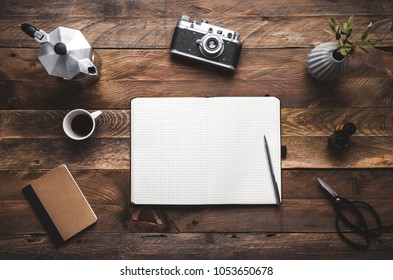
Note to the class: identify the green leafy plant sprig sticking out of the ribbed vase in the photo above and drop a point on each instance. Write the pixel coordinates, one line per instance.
(348, 44)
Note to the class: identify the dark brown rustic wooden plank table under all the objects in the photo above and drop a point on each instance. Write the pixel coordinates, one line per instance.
(132, 38)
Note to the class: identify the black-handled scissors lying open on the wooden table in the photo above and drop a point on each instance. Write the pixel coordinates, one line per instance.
(349, 214)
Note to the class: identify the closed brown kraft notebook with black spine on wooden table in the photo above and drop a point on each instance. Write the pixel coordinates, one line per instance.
(60, 204)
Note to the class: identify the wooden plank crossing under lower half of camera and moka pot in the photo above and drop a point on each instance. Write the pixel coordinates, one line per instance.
(22, 64)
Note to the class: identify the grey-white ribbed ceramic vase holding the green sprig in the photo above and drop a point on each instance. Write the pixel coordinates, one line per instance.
(321, 64)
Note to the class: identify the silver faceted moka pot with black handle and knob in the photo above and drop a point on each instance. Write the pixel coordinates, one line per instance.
(66, 53)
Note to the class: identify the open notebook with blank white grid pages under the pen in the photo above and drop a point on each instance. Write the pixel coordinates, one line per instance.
(196, 150)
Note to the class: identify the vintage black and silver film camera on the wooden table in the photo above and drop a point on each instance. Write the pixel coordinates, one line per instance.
(197, 39)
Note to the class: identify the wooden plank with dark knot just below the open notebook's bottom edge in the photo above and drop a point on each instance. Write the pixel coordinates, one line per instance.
(294, 215)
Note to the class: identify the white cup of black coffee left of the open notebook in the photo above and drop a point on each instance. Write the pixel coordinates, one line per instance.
(79, 124)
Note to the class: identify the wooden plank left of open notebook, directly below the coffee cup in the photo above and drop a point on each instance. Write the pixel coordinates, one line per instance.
(22, 154)
